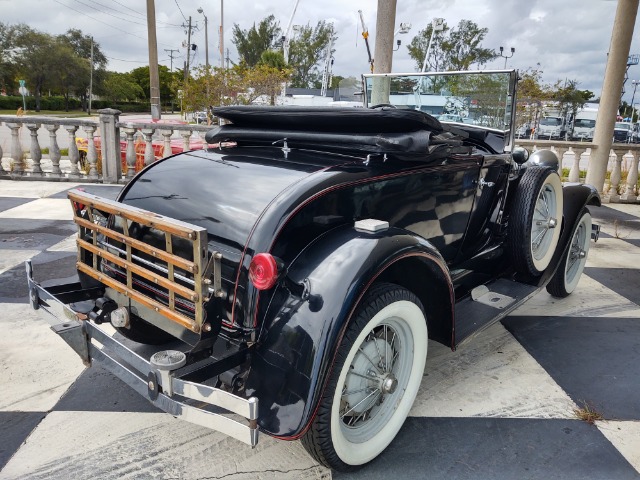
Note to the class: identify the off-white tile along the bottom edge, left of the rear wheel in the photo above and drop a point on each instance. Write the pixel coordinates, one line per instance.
(110, 445)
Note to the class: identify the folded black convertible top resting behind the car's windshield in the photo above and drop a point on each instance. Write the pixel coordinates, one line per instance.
(404, 133)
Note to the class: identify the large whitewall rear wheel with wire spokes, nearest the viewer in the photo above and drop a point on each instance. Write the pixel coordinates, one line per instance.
(375, 379)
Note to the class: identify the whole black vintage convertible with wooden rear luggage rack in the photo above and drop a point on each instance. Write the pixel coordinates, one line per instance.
(294, 272)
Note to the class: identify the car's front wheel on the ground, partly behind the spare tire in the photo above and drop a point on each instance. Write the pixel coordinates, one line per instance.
(566, 278)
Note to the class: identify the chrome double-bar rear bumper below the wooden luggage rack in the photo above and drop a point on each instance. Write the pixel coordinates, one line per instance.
(161, 387)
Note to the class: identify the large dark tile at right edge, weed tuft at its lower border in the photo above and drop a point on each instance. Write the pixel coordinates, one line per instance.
(594, 360)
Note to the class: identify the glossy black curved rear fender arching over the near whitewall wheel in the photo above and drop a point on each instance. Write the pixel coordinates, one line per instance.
(308, 314)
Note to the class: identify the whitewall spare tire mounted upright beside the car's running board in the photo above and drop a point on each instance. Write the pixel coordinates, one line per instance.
(535, 220)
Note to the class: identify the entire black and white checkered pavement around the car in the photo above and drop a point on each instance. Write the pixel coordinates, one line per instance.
(500, 407)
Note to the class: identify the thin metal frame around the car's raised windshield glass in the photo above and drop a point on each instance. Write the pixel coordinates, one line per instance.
(511, 100)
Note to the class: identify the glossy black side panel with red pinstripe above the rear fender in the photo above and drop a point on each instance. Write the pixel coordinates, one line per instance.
(432, 201)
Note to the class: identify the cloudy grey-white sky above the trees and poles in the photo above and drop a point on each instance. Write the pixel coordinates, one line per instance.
(566, 39)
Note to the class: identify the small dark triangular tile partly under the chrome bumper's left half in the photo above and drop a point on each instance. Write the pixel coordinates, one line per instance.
(97, 390)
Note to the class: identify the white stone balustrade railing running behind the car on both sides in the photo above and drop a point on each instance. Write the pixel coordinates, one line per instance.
(112, 151)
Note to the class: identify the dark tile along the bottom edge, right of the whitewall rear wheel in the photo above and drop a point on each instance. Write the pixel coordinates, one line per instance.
(497, 448)
